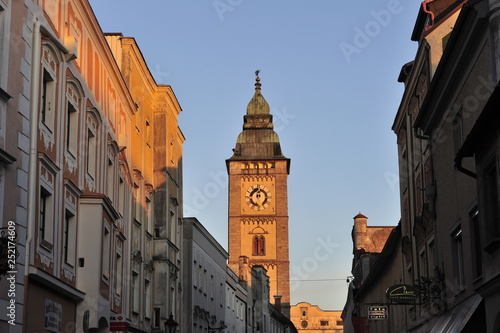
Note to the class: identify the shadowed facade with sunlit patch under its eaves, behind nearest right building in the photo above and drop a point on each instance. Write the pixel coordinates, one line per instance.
(418, 178)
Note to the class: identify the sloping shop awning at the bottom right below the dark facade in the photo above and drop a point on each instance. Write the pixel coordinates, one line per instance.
(455, 319)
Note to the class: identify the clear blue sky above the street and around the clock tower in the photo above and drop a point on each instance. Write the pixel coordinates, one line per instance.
(329, 72)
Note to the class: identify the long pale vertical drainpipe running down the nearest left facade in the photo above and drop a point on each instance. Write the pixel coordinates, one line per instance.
(34, 96)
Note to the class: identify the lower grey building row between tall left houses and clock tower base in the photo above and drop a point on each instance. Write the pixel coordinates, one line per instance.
(217, 299)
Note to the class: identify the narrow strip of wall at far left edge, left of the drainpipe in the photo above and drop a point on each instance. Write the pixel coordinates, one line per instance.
(14, 150)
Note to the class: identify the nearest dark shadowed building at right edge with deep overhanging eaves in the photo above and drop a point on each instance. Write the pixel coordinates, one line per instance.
(467, 218)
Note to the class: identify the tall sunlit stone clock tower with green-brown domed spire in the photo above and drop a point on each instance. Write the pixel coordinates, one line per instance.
(258, 200)
